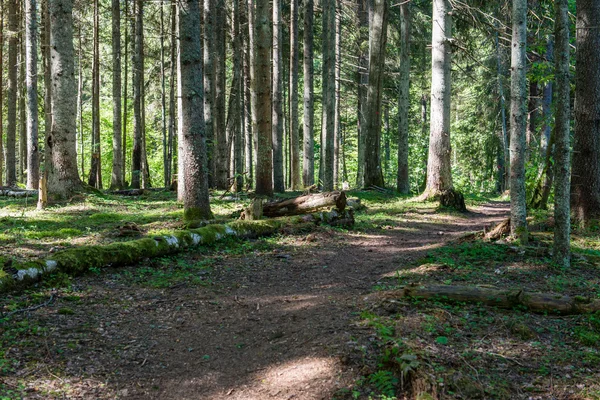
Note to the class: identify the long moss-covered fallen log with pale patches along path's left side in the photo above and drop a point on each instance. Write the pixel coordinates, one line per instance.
(78, 260)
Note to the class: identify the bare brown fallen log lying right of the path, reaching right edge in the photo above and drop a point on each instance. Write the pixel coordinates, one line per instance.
(550, 303)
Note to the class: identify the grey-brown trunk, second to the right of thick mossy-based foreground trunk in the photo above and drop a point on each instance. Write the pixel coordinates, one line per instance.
(222, 150)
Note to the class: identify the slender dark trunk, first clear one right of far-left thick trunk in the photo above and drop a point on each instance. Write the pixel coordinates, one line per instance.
(95, 178)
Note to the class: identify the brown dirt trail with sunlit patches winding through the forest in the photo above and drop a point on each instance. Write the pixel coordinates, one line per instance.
(275, 328)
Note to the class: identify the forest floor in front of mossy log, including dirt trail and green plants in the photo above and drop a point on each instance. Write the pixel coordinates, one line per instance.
(300, 316)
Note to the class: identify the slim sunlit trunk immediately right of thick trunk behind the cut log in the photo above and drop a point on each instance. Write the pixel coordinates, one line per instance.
(277, 89)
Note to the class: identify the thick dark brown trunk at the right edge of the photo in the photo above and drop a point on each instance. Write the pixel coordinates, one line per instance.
(585, 178)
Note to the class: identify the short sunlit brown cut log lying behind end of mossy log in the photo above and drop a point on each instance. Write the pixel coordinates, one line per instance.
(305, 204)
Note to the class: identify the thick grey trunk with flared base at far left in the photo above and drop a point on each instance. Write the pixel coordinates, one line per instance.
(63, 179)
